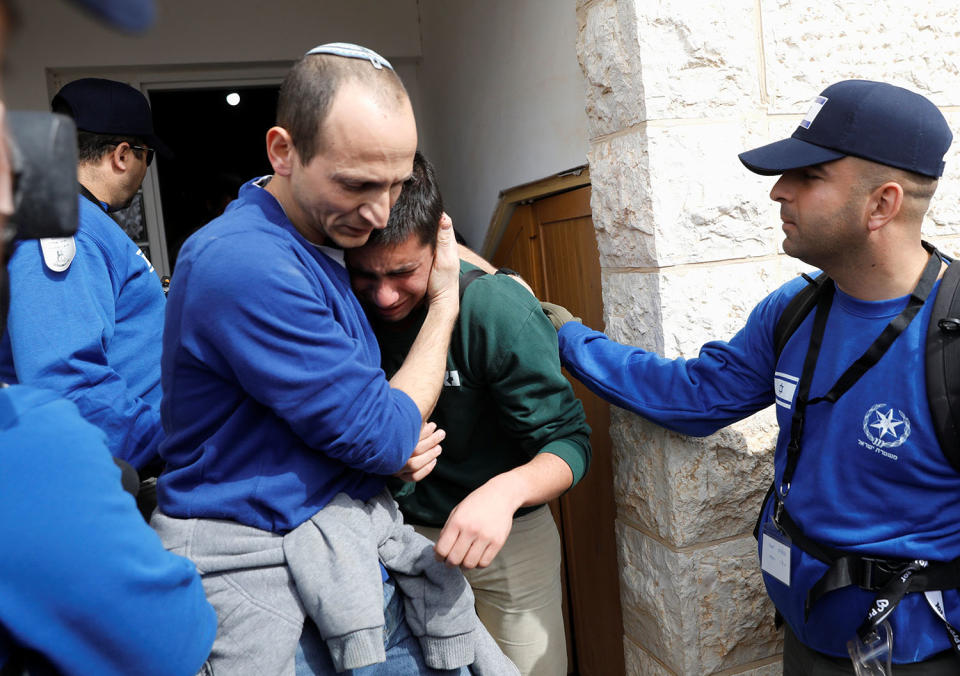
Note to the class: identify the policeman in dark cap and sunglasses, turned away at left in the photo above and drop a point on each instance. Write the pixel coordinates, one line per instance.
(88, 312)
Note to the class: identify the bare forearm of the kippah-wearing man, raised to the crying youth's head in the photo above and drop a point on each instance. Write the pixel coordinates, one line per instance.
(421, 376)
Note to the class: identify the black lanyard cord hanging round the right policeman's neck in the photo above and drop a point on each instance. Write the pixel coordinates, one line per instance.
(868, 359)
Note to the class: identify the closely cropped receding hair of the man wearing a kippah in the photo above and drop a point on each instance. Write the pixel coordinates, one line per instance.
(308, 90)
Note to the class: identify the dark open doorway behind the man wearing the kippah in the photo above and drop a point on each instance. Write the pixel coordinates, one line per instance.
(216, 146)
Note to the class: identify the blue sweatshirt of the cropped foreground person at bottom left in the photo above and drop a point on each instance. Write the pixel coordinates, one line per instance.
(84, 582)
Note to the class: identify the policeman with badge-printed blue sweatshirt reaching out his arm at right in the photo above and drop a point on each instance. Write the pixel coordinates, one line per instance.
(857, 536)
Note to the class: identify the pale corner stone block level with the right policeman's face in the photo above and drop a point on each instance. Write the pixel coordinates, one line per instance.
(669, 195)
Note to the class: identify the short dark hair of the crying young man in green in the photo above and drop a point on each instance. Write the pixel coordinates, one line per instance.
(416, 212)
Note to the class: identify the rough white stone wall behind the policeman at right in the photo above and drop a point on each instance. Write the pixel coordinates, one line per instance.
(689, 242)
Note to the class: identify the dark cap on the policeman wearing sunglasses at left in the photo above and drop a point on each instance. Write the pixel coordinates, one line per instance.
(109, 107)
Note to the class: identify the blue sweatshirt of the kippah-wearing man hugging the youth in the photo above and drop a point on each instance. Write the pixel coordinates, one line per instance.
(274, 400)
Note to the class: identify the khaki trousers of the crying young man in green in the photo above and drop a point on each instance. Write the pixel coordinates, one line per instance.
(518, 596)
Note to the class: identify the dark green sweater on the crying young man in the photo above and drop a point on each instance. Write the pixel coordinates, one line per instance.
(504, 398)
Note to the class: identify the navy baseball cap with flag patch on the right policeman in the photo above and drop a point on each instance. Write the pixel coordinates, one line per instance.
(871, 120)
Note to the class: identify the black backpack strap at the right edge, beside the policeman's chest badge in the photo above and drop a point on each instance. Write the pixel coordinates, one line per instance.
(943, 364)
